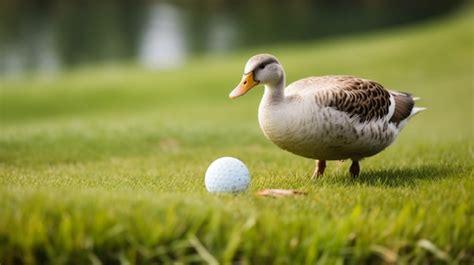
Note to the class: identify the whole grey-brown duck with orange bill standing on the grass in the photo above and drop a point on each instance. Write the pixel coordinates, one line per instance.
(324, 118)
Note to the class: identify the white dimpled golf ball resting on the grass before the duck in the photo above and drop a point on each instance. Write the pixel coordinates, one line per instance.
(227, 174)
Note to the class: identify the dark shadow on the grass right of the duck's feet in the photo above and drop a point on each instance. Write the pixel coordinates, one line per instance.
(406, 176)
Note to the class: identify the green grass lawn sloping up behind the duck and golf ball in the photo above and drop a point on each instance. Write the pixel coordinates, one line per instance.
(107, 165)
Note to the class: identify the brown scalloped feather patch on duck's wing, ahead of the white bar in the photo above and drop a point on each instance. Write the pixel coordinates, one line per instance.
(361, 98)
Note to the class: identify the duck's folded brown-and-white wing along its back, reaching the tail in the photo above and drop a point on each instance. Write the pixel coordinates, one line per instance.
(364, 99)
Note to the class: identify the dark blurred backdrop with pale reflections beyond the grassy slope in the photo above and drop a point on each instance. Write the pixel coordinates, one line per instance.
(46, 37)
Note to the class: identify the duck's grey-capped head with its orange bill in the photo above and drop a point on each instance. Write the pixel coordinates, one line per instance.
(260, 69)
